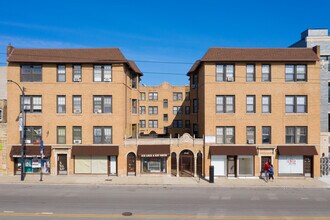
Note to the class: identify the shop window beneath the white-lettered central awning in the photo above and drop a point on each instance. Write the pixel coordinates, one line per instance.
(154, 165)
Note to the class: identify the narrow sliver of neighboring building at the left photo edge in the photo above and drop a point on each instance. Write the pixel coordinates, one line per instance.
(3, 119)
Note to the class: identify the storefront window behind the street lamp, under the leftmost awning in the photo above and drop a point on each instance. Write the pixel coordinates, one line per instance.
(33, 165)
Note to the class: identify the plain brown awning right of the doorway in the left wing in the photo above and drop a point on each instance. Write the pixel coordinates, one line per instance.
(95, 150)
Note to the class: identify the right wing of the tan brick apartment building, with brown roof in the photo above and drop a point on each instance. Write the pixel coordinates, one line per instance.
(254, 105)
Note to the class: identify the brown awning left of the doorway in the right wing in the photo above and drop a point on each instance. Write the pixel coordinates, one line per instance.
(233, 150)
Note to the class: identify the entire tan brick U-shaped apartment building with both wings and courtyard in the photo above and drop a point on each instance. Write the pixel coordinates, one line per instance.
(242, 107)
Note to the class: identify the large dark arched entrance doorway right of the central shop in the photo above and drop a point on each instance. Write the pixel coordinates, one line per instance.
(186, 163)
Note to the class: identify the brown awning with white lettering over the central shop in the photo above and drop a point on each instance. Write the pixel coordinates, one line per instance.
(153, 150)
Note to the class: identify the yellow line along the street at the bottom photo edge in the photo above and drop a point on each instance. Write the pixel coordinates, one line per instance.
(95, 216)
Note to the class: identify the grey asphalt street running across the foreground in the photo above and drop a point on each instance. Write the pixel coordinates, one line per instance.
(155, 202)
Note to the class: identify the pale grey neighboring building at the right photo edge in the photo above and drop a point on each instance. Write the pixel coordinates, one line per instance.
(320, 37)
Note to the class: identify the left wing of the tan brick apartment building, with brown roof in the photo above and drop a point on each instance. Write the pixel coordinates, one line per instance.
(78, 101)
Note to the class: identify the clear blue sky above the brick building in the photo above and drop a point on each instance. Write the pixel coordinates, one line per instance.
(158, 31)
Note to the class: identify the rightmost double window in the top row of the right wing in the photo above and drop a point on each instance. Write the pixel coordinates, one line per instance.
(295, 73)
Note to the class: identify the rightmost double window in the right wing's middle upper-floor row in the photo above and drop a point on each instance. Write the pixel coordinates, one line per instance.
(296, 104)
